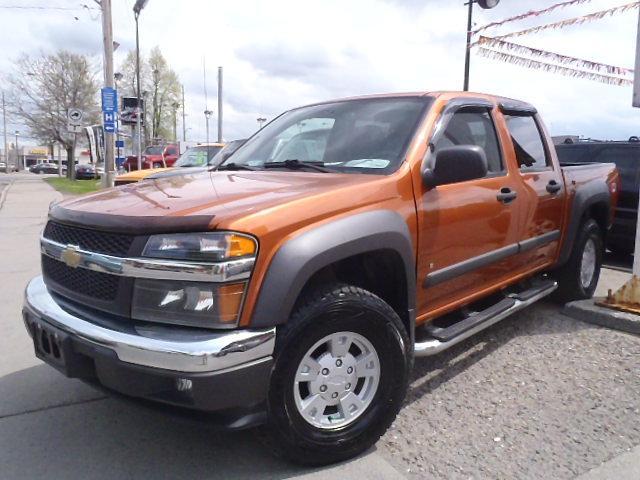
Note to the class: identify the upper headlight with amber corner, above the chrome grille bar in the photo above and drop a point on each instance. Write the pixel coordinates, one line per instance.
(201, 247)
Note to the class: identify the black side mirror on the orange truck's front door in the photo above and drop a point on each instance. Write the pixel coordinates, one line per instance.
(456, 164)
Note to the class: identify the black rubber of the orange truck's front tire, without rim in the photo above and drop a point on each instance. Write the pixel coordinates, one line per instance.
(336, 308)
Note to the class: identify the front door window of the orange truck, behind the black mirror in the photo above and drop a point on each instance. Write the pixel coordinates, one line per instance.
(473, 128)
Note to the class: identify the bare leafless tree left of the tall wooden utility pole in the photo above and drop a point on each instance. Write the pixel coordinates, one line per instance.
(43, 88)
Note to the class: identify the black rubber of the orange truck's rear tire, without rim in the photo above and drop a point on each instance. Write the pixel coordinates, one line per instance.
(570, 285)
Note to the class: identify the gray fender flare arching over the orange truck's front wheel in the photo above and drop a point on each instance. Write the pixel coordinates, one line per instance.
(299, 258)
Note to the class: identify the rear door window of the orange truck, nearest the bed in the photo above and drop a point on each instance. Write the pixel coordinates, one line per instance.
(527, 141)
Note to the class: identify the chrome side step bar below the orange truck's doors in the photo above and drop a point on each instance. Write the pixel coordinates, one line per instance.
(432, 346)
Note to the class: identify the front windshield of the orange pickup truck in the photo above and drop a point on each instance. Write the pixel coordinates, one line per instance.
(356, 136)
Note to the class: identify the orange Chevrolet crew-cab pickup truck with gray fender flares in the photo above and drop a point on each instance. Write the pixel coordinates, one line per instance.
(295, 285)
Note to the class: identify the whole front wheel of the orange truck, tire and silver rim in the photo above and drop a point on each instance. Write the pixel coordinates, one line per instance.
(340, 376)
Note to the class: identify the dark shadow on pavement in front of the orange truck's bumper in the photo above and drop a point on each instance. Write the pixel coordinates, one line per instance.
(88, 435)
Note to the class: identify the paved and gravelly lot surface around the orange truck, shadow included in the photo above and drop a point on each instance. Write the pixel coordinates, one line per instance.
(537, 396)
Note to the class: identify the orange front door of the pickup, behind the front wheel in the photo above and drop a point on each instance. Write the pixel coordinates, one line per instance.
(468, 232)
